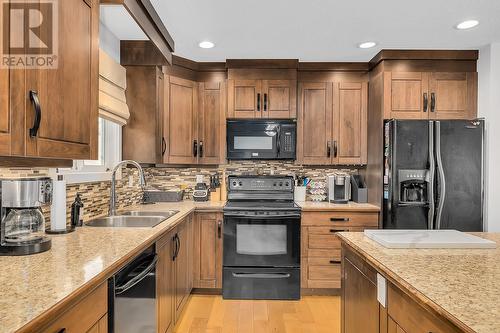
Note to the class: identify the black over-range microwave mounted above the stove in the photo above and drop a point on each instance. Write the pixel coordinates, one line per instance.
(264, 139)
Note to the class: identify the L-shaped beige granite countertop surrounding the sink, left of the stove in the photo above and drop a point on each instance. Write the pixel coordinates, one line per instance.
(32, 285)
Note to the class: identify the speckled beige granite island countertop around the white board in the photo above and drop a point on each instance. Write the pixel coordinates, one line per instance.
(462, 285)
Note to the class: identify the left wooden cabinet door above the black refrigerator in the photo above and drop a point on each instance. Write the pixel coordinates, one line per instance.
(406, 95)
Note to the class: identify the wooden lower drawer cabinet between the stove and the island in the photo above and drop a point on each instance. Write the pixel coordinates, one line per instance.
(321, 254)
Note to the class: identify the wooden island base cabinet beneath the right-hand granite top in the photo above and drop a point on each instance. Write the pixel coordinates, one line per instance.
(362, 312)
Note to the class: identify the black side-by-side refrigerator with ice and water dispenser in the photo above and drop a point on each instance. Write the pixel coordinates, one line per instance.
(433, 174)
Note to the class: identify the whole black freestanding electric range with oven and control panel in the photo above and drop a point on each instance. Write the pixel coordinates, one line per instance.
(261, 239)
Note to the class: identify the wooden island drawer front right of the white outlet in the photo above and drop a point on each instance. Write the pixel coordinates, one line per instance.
(411, 317)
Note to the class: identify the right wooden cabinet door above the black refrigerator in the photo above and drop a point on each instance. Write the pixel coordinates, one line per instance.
(453, 96)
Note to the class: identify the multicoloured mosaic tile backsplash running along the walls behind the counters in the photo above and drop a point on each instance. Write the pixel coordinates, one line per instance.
(95, 195)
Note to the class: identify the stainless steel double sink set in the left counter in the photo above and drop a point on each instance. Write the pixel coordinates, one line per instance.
(132, 219)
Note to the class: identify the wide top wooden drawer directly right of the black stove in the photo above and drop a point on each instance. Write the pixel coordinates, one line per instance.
(340, 218)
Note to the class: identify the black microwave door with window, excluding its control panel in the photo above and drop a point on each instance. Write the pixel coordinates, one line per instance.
(252, 140)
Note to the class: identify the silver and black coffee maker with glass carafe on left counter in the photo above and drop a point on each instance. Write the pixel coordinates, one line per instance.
(22, 226)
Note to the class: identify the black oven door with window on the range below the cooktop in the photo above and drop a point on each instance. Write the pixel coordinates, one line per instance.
(262, 241)
